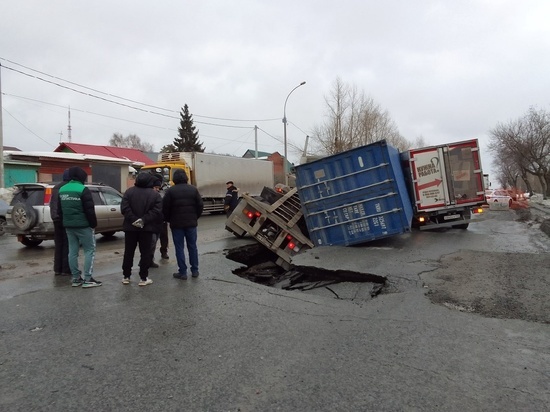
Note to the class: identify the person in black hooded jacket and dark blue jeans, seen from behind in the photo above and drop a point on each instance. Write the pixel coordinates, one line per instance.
(182, 206)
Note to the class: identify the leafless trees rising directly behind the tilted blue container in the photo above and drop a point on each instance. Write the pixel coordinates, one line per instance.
(353, 120)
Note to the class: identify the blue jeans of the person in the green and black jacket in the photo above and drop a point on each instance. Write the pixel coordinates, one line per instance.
(84, 236)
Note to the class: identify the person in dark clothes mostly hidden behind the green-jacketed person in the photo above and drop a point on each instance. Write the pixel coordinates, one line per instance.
(61, 251)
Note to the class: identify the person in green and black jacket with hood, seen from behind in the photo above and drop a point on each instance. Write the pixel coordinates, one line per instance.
(78, 216)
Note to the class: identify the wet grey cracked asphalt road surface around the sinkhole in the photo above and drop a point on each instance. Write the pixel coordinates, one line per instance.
(221, 343)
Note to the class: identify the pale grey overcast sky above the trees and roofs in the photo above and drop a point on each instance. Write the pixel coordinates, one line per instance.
(444, 70)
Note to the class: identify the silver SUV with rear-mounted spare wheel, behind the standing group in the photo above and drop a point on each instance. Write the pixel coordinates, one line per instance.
(28, 216)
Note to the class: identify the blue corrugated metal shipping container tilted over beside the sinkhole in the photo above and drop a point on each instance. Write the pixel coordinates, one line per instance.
(355, 196)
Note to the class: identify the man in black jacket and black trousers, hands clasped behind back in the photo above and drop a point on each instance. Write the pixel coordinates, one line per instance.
(142, 209)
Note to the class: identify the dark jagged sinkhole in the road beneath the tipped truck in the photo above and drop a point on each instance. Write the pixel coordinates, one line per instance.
(261, 268)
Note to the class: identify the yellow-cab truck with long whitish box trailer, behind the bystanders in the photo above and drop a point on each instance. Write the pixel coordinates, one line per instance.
(209, 173)
